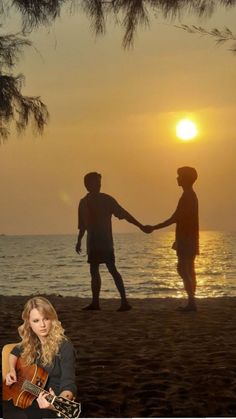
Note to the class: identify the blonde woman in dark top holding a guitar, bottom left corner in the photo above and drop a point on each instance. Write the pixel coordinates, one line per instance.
(44, 343)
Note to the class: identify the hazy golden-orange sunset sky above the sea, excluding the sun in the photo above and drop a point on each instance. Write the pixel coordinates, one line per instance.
(114, 111)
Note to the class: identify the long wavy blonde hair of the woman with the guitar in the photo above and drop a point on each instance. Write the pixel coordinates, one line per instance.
(30, 342)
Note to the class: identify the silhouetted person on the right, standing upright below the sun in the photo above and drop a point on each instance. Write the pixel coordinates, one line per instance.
(187, 233)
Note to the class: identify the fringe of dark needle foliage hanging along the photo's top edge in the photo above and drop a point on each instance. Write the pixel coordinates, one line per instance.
(130, 14)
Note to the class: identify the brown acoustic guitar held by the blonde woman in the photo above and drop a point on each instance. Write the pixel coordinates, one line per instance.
(31, 380)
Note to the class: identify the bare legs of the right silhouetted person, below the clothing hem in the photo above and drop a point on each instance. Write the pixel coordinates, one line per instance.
(186, 271)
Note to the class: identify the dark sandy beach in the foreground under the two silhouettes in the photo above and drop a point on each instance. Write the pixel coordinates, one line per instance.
(150, 362)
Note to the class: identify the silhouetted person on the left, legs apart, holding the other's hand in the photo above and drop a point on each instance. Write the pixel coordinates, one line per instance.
(95, 213)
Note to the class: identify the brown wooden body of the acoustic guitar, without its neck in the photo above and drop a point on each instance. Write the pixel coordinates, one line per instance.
(16, 393)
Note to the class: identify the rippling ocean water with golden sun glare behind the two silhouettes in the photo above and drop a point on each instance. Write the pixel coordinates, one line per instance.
(48, 264)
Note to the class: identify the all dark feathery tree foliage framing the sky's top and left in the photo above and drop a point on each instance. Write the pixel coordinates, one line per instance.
(129, 14)
